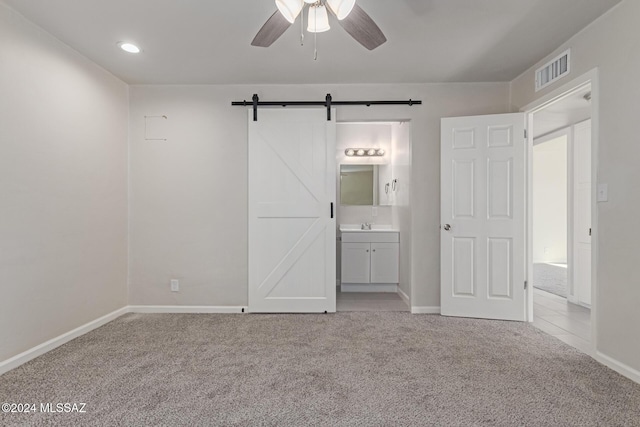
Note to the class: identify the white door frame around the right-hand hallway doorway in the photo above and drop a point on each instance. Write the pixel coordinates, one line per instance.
(573, 86)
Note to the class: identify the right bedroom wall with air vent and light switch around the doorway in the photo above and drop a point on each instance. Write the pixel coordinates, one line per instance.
(612, 45)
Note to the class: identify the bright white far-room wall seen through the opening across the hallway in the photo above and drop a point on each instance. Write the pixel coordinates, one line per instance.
(550, 201)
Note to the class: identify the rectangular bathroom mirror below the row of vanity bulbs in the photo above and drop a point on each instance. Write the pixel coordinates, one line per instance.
(364, 185)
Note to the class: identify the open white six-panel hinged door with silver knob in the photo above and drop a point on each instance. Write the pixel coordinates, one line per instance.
(483, 217)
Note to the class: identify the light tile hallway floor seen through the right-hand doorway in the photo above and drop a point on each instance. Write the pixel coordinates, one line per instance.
(568, 322)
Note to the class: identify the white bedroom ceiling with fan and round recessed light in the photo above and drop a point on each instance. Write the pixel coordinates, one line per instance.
(208, 41)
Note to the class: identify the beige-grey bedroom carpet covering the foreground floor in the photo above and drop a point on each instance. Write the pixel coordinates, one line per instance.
(345, 369)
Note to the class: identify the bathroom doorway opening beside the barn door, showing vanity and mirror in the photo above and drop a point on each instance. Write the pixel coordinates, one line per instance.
(373, 216)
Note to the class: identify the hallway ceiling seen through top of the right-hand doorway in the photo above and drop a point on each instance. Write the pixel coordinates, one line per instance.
(567, 111)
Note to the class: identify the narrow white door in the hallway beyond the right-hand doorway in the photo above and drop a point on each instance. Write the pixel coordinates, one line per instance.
(582, 212)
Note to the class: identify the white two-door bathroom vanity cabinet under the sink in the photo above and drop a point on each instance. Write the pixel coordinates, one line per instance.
(370, 261)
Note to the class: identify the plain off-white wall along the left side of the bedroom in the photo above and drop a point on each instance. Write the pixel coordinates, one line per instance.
(63, 188)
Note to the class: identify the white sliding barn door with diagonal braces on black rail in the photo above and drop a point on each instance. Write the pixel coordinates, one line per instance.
(292, 233)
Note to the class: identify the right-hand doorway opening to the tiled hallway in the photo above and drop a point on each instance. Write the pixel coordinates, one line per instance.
(560, 216)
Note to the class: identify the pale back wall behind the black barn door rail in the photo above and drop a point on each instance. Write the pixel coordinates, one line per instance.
(189, 194)
